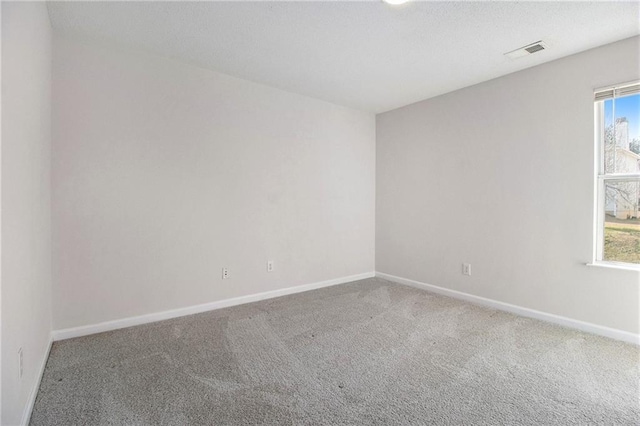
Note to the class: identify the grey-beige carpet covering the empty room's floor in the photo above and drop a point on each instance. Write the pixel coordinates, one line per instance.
(363, 353)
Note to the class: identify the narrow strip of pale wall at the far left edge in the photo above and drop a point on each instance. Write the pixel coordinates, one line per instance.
(26, 211)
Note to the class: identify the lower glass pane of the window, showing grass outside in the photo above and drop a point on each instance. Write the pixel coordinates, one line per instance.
(622, 221)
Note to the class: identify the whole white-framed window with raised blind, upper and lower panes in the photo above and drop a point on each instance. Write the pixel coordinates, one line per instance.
(617, 112)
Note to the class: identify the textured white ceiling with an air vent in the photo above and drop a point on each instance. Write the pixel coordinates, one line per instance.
(366, 55)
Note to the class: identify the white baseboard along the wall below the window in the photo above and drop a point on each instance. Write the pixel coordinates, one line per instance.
(519, 310)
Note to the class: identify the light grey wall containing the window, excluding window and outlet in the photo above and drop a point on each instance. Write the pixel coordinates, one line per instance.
(500, 175)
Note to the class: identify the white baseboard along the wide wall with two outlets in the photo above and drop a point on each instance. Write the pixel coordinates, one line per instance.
(69, 333)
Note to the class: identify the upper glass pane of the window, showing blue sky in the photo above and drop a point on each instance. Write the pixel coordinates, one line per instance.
(622, 135)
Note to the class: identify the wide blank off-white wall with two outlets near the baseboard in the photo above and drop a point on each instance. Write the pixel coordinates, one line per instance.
(164, 173)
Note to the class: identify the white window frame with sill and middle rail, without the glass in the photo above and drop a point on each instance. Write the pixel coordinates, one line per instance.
(601, 176)
